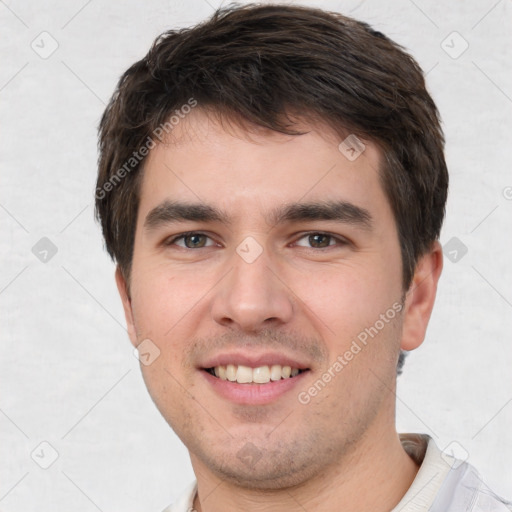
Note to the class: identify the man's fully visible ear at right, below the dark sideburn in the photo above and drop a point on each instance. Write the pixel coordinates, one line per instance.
(420, 297)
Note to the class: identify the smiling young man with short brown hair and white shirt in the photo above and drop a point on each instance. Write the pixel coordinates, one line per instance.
(272, 186)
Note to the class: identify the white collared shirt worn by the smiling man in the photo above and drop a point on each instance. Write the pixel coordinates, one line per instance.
(442, 484)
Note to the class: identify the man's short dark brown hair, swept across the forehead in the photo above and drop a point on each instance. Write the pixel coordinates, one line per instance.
(260, 64)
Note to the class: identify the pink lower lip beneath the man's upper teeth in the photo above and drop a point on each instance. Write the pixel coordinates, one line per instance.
(252, 394)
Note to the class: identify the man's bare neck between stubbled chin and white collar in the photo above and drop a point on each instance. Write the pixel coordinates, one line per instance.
(374, 476)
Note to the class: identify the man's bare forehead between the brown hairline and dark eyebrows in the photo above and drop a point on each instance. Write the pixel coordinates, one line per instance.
(247, 168)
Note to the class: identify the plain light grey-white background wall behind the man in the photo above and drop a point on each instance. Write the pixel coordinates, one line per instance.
(69, 376)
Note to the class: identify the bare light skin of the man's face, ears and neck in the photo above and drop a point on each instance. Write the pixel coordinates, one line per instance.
(338, 451)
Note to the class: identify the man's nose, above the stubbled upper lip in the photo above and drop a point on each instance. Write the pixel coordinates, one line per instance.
(253, 296)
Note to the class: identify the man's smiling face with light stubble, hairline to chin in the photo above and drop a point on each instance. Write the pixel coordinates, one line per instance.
(267, 276)
